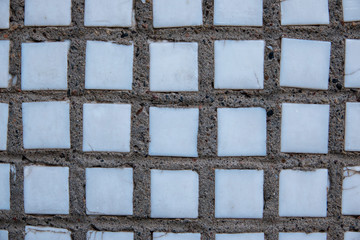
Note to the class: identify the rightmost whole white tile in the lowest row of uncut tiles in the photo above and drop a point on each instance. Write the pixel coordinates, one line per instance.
(303, 193)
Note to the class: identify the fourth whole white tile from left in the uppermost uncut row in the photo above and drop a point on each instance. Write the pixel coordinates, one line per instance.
(239, 64)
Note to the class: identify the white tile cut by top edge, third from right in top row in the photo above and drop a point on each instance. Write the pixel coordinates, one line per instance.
(238, 12)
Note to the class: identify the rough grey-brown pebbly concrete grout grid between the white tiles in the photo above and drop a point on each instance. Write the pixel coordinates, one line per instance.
(207, 100)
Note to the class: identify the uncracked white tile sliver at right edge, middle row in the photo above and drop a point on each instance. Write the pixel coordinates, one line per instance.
(352, 128)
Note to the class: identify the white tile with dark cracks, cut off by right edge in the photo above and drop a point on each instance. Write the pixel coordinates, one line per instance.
(351, 191)
